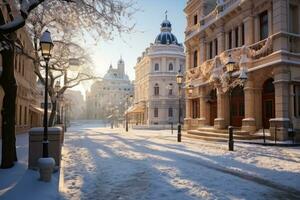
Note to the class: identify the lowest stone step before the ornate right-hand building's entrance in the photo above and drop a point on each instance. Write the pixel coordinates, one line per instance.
(223, 135)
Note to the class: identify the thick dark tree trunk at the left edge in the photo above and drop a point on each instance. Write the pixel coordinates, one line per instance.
(8, 83)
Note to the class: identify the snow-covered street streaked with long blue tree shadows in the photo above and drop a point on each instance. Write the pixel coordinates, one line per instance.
(110, 164)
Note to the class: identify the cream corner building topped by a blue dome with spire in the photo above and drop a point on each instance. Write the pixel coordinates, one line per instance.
(156, 91)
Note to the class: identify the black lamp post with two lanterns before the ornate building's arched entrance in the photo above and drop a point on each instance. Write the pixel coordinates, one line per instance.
(230, 68)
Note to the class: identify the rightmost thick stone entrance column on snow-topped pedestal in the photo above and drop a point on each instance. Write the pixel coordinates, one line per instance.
(281, 121)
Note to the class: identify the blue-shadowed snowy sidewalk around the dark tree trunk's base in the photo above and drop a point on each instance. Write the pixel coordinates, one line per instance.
(21, 183)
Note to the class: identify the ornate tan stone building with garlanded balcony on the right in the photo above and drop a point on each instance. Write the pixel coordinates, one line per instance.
(263, 40)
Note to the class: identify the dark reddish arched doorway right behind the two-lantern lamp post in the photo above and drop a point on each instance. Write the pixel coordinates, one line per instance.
(237, 106)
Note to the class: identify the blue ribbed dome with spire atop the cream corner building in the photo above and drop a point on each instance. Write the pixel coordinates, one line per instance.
(166, 36)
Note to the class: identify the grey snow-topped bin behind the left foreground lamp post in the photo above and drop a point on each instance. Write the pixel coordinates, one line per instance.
(36, 145)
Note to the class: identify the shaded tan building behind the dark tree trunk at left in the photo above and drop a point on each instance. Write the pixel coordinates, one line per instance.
(28, 113)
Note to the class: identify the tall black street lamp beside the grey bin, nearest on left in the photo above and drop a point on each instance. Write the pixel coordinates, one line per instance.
(46, 45)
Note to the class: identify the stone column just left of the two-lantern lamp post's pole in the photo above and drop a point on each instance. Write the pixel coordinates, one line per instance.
(220, 121)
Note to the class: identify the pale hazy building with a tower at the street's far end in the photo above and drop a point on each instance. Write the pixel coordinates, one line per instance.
(110, 95)
